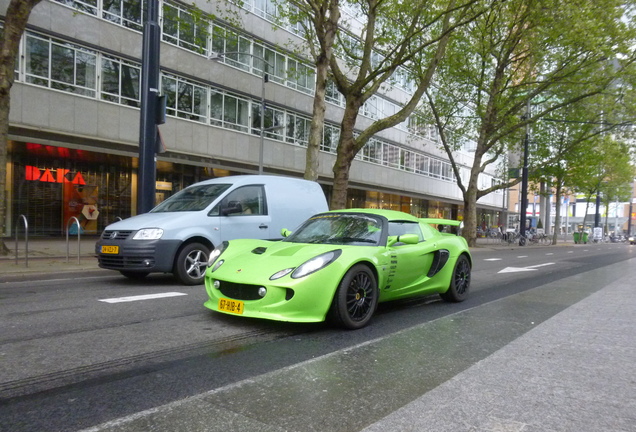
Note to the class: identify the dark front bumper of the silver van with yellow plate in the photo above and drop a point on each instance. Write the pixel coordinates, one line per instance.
(138, 255)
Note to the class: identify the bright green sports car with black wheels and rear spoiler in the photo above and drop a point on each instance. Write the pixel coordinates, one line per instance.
(338, 265)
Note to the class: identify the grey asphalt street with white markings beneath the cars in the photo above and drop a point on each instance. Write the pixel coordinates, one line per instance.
(544, 343)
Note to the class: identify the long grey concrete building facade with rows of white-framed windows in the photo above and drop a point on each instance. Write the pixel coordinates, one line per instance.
(74, 121)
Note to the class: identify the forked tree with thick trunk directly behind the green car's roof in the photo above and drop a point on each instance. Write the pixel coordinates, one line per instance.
(411, 33)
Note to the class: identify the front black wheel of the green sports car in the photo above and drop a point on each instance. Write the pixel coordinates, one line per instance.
(356, 298)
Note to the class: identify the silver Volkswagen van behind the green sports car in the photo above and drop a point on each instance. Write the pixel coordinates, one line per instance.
(177, 235)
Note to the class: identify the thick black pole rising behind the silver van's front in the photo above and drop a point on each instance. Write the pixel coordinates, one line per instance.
(148, 117)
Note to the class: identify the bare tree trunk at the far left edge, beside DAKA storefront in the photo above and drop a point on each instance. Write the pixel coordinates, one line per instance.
(16, 17)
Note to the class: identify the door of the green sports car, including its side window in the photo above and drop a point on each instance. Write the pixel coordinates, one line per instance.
(411, 261)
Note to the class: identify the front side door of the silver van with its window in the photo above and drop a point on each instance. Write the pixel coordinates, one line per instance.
(248, 217)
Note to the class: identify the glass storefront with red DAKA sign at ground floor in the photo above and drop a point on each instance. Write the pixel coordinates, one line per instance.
(56, 188)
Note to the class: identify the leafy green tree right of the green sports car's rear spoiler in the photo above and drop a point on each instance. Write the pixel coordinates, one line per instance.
(542, 54)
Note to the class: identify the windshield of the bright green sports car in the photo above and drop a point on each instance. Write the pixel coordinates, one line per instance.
(345, 229)
